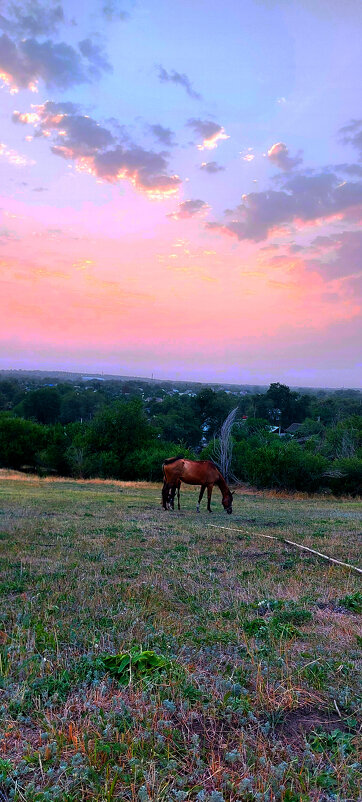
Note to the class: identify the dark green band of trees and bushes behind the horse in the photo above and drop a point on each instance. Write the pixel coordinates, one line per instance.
(125, 430)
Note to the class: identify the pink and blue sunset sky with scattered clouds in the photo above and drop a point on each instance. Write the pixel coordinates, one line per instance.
(181, 189)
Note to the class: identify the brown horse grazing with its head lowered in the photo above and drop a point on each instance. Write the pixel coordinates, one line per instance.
(204, 473)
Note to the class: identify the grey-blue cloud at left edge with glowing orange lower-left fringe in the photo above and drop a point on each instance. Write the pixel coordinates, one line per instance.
(57, 64)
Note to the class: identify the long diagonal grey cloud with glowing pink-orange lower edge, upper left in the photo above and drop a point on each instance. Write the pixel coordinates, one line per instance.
(96, 150)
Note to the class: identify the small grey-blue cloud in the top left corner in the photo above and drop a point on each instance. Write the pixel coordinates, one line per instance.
(32, 18)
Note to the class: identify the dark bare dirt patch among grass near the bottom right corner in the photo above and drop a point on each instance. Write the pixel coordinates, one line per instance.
(297, 723)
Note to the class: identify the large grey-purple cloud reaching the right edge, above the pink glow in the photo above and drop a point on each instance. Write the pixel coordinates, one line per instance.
(302, 199)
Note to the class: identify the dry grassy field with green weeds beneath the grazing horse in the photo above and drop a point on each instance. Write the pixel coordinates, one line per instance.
(248, 689)
